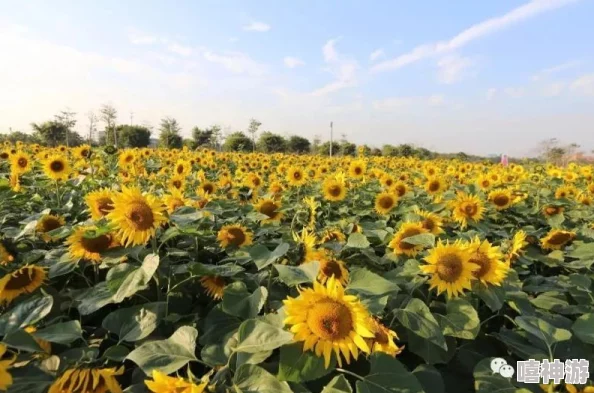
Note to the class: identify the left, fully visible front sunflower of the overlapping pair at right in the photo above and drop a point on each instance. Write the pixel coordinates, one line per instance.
(450, 269)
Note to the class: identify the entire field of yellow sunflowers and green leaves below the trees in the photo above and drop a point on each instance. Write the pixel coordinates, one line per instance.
(179, 271)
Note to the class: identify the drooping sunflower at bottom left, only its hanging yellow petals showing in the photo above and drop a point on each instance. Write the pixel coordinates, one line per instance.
(86, 380)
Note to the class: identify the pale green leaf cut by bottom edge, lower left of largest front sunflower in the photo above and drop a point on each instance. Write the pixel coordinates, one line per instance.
(250, 378)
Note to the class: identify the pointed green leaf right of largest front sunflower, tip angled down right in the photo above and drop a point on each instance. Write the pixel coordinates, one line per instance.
(417, 318)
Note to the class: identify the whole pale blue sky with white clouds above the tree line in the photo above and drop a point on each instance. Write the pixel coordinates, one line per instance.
(485, 77)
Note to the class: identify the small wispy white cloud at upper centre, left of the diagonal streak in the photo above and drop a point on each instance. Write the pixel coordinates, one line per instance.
(342, 67)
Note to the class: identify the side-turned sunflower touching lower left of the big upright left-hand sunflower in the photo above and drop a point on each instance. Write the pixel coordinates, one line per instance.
(86, 243)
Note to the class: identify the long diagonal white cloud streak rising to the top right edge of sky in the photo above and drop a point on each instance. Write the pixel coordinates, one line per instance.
(472, 33)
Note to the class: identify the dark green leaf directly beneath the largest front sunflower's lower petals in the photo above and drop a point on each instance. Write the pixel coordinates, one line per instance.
(297, 365)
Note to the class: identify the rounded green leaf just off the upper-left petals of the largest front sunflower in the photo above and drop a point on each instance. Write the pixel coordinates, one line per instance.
(239, 302)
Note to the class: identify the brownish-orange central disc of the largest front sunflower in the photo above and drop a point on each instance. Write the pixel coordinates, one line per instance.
(330, 320)
